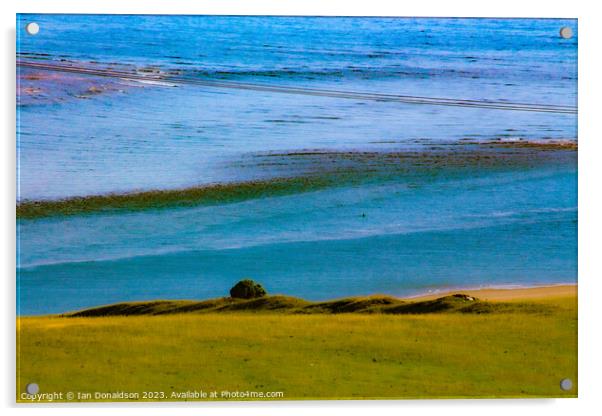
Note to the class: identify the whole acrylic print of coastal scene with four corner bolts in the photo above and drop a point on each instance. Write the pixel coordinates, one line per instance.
(284, 208)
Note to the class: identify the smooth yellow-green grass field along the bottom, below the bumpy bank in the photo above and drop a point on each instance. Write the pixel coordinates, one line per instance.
(517, 350)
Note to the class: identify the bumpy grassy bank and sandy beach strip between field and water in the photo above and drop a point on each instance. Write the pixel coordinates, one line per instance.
(445, 301)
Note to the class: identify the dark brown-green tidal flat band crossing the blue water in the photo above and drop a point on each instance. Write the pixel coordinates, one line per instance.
(277, 173)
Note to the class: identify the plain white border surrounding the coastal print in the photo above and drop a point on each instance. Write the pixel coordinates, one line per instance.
(590, 207)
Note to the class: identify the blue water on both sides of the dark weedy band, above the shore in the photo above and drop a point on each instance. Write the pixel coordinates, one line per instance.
(514, 224)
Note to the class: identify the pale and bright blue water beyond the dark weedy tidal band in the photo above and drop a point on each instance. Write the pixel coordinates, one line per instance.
(76, 143)
